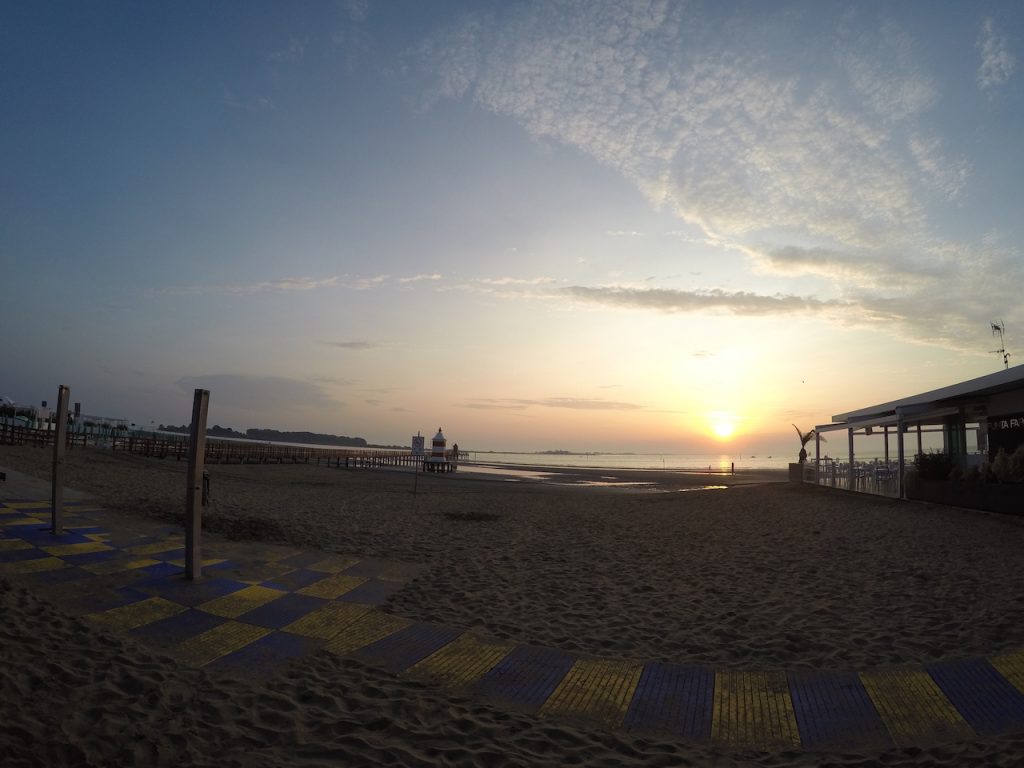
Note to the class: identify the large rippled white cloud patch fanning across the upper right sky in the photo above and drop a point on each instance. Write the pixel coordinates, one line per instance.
(735, 145)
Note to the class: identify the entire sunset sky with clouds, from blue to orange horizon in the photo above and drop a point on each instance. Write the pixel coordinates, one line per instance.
(585, 226)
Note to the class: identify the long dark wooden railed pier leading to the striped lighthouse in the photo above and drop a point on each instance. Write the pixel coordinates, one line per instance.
(230, 452)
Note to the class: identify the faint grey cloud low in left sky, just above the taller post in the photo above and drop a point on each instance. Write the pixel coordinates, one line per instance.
(267, 395)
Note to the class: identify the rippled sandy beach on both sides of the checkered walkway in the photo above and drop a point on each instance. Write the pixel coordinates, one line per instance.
(757, 576)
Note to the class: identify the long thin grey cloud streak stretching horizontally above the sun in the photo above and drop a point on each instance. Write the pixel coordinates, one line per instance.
(670, 301)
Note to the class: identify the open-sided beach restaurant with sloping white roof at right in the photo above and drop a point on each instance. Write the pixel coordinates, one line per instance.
(963, 426)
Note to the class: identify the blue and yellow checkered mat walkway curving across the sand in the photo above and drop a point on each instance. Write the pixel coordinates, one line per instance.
(253, 613)
